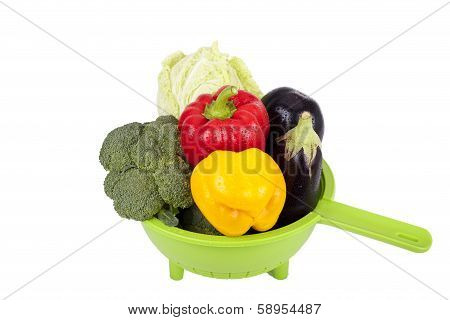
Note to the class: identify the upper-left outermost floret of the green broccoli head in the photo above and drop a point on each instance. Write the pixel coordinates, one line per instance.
(118, 145)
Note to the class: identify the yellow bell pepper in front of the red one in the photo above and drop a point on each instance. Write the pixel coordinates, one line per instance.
(237, 191)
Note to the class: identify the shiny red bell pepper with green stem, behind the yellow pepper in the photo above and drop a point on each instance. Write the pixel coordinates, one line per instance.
(231, 119)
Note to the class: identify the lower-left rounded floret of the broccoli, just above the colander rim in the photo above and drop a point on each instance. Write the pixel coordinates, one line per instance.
(135, 195)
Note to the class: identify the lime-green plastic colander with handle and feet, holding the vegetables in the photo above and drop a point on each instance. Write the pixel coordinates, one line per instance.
(250, 255)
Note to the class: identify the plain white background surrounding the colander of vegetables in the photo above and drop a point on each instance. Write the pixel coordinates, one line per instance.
(387, 140)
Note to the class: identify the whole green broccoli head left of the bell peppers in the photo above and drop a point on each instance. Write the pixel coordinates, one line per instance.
(148, 175)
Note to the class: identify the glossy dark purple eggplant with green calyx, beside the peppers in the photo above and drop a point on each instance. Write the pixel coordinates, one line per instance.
(294, 142)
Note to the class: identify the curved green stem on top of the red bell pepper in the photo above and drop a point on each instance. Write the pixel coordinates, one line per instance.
(222, 108)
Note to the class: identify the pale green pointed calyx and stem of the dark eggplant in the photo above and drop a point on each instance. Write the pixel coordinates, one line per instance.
(301, 137)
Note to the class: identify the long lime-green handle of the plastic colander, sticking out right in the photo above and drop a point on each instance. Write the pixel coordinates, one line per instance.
(374, 226)
